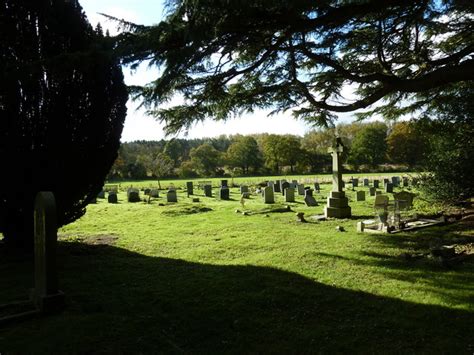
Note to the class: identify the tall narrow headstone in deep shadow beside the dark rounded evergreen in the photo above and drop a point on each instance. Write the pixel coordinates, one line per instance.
(46, 295)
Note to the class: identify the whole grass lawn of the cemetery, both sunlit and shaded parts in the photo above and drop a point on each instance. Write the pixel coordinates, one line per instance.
(200, 278)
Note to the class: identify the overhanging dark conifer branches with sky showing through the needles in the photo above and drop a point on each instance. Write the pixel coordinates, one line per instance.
(316, 58)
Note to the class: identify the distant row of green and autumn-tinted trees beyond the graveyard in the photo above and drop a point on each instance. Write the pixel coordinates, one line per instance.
(373, 146)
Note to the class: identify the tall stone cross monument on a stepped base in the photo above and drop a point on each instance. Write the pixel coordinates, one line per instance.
(337, 202)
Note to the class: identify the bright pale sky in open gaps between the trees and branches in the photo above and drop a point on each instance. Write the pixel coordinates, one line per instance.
(139, 126)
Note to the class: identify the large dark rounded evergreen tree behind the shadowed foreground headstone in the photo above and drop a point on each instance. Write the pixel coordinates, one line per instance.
(62, 107)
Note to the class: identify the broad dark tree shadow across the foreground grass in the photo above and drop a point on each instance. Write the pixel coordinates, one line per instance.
(123, 302)
